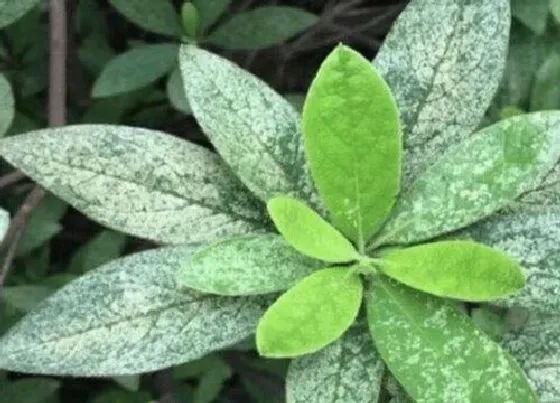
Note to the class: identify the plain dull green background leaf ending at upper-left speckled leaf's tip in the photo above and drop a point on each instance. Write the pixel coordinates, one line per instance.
(135, 69)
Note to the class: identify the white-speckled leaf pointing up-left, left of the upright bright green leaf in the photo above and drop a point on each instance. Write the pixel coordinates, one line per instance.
(254, 129)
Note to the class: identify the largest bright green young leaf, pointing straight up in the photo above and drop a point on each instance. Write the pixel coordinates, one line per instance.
(353, 143)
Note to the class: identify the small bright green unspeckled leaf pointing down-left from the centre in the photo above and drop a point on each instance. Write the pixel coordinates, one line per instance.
(310, 315)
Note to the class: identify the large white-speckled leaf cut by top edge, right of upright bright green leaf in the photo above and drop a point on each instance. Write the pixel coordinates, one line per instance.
(443, 59)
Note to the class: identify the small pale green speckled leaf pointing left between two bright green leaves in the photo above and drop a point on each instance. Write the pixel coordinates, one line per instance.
(255, 264)
